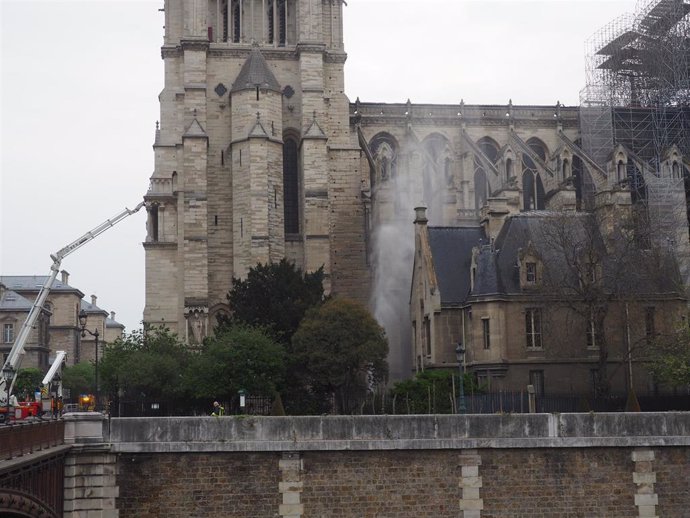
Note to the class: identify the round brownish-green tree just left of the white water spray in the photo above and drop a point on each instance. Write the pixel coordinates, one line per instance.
(341, 351)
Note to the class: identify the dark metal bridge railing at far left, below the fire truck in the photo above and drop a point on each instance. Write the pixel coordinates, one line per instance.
(21, 439)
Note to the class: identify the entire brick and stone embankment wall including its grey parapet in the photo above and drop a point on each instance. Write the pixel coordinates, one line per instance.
(589, 465)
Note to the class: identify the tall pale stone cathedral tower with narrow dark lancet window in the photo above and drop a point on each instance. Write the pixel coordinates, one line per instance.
(255, 159)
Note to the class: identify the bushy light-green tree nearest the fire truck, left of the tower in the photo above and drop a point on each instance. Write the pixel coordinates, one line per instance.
(148, 362)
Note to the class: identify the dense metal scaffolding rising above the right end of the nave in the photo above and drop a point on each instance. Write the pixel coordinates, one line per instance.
(638, 83)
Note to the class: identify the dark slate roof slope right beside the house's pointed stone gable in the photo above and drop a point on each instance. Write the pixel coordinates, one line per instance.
(451, 249)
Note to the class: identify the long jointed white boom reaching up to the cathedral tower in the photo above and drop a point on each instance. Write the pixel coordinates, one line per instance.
(17, 351)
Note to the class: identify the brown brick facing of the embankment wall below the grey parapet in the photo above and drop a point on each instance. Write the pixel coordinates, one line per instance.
(415, 483)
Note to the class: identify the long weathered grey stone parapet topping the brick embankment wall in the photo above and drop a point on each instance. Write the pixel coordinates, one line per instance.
(326, 433)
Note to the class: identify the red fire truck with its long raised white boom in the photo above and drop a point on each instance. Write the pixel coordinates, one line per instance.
(10, 408)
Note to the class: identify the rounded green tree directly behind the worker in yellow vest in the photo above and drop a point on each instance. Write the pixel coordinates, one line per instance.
(240, 357)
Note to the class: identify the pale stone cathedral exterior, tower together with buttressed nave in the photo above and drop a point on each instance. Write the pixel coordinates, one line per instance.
(260, 155)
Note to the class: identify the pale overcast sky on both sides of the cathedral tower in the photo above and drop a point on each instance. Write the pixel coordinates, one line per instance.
(80, 81)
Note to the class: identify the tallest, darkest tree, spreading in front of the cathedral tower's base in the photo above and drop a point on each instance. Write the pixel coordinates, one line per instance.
(275, 296)
